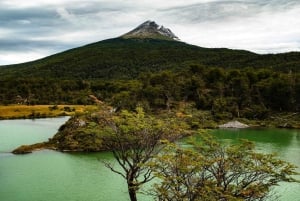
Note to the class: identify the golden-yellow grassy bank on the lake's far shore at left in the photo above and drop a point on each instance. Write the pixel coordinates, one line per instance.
(42, 111)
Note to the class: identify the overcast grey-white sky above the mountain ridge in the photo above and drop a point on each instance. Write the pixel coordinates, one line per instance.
(34, 29)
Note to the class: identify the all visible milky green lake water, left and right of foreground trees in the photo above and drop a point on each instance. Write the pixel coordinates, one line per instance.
(54, 176)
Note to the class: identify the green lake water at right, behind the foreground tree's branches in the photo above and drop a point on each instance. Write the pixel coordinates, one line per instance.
(285, 143)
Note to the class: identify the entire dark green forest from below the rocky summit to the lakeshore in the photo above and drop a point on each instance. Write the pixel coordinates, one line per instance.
(159, 74)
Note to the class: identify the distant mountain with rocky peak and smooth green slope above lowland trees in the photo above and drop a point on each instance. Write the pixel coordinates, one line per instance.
(132, 54)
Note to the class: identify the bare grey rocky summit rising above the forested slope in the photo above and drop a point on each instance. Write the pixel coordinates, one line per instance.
(150, 29)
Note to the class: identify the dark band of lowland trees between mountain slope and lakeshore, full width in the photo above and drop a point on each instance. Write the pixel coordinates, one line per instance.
(227, 93)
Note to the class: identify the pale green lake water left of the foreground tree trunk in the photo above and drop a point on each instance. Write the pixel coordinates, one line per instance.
(49, 175)
